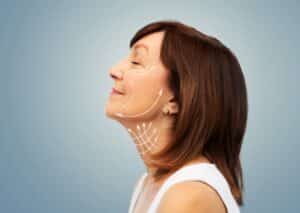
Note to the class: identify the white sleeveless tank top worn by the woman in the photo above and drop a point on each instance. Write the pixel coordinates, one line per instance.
(205, 172)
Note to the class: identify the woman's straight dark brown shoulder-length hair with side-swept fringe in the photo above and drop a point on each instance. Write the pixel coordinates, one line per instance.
(209, 87)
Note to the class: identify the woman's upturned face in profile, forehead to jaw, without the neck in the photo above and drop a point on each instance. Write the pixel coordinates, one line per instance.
(140, 81)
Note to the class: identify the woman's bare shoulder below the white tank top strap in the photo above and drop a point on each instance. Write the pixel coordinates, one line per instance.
(192, 197)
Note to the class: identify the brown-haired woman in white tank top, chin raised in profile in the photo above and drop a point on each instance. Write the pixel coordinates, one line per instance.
(181, 95)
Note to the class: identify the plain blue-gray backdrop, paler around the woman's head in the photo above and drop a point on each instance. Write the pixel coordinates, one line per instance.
(58, 151)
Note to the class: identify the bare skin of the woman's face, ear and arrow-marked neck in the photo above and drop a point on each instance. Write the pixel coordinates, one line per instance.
(140, 102)
